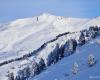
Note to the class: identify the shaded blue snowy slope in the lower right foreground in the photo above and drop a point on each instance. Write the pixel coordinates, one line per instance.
(63, 69)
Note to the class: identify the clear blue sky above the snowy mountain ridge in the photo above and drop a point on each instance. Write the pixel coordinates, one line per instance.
(14, 9)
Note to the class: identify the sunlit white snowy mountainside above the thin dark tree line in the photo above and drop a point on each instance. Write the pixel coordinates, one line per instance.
(19, 35)
